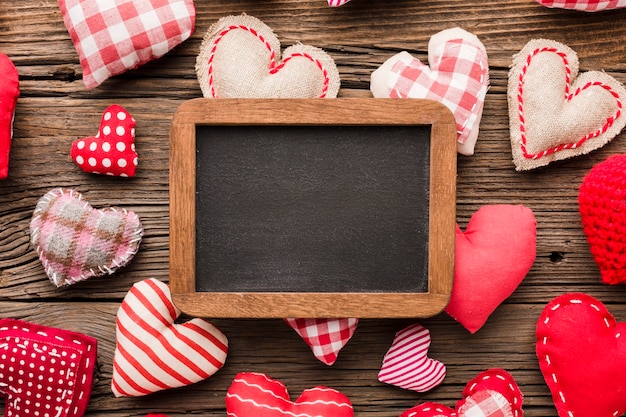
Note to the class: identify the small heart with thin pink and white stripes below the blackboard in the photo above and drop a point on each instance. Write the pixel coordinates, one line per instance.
(407, 365)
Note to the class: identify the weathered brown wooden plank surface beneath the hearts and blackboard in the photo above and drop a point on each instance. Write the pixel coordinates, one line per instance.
(55, 108)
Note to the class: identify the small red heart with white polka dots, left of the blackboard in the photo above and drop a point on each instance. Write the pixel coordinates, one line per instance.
(112, 150)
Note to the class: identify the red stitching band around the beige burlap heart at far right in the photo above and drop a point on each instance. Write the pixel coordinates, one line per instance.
(568, 96)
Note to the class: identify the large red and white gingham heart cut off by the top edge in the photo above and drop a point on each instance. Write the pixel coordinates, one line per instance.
(114, 36)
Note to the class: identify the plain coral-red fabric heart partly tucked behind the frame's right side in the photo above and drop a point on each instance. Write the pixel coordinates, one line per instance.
(493, 256)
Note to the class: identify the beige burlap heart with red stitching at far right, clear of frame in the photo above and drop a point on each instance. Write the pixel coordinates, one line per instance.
(555, 113)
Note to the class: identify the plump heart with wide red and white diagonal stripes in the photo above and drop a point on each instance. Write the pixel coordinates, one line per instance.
(152, 352)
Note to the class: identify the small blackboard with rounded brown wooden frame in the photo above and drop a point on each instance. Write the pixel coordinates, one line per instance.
(312, 208)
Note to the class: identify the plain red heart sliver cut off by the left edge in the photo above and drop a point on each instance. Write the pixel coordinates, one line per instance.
(9, 93)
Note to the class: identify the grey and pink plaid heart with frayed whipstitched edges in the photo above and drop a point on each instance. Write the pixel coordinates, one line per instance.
(75, 242)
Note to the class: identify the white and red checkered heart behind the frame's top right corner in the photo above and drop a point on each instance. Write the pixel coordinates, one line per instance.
(458, 77)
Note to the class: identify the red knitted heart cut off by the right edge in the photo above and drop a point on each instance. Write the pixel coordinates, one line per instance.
(601, 205)
